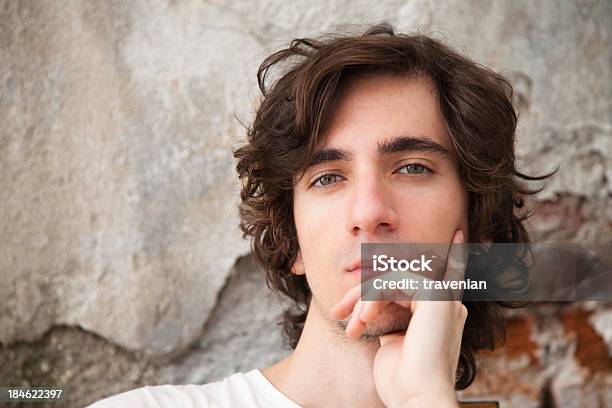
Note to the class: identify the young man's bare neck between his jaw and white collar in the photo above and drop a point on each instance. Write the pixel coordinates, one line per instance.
(327, 368)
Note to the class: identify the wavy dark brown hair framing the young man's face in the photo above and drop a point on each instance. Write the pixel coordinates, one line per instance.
(294, 112)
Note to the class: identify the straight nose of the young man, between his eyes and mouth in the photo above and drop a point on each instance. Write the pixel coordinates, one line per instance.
(371, 212)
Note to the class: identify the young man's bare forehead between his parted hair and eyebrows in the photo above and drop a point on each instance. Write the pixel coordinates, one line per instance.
(379, 107)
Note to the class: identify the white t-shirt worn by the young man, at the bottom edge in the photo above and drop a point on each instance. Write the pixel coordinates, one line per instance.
(250, 390)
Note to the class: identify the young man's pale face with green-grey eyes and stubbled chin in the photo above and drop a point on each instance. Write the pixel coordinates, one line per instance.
(372, 183)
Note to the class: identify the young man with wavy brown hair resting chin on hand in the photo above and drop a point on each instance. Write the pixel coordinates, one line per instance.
(366, 139)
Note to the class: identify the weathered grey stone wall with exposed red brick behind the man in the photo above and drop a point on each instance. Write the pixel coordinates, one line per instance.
(120, 256)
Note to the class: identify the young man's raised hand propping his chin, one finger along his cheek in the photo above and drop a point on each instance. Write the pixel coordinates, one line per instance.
(416, 368)
